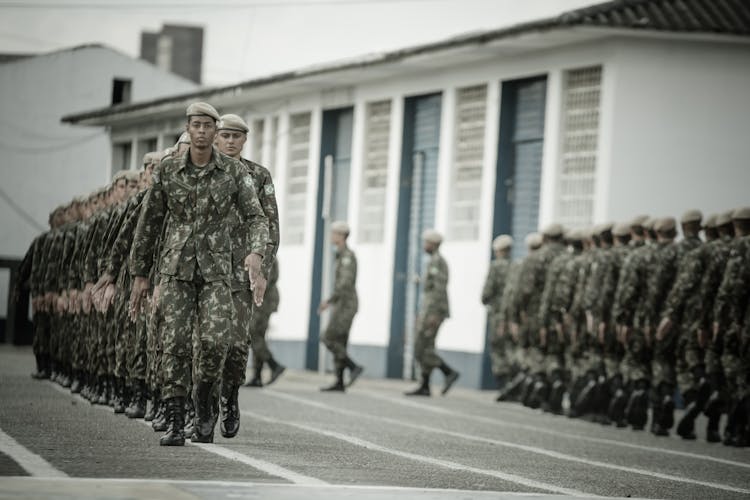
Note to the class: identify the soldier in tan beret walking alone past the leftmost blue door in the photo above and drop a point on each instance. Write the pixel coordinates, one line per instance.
(344, 303)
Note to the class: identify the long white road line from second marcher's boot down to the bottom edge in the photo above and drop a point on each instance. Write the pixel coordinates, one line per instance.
(421, 458)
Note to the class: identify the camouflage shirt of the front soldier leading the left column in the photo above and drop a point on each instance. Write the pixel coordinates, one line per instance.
(198, 217)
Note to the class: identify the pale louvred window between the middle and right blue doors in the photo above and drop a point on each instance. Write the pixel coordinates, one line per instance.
(471, 111)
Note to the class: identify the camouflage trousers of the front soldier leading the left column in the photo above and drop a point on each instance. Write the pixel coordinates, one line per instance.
(203, 309)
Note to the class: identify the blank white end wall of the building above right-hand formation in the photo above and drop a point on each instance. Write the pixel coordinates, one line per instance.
(681, 123)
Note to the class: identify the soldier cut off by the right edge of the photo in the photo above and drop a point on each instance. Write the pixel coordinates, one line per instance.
(730, 326)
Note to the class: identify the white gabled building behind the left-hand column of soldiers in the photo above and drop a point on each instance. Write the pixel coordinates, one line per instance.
(47, 162)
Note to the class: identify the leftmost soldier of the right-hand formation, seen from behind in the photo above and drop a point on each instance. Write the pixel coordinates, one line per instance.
(492, 295)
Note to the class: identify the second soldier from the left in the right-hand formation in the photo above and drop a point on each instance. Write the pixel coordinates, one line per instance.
(509, 313)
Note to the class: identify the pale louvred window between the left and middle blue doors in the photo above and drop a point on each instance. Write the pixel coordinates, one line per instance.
(375, 171)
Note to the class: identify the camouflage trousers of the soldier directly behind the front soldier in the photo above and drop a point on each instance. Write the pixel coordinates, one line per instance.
(239, 349)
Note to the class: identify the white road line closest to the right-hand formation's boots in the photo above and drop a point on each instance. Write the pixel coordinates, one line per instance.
(542, 430)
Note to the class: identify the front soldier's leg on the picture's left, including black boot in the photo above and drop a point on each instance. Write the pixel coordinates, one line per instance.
(178, 305)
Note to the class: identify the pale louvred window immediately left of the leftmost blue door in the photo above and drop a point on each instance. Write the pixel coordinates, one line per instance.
(296, 187)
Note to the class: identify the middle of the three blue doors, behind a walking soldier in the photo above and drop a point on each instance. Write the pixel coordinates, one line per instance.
(416, 212)
